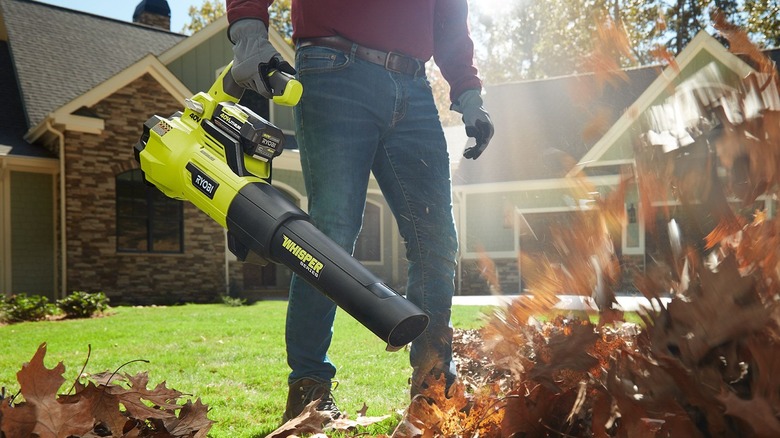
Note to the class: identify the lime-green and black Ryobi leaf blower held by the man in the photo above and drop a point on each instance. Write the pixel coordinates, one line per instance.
(217, 154)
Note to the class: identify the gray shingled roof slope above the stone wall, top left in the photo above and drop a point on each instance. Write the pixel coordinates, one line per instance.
(60, 54)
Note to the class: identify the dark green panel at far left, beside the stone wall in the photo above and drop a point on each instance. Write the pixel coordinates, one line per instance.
(32, 237)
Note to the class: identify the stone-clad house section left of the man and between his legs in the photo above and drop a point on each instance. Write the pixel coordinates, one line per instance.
(74, 211)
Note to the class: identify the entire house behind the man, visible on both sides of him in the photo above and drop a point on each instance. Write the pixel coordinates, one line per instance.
(76, 215)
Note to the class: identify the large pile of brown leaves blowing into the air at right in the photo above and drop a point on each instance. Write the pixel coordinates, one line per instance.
(705, 363)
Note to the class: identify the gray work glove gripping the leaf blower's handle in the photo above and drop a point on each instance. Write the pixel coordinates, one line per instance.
(254, 56)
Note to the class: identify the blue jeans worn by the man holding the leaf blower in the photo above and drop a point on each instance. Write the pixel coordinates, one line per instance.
(356, 118)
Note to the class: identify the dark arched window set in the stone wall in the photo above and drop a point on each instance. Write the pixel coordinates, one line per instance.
(146, 219)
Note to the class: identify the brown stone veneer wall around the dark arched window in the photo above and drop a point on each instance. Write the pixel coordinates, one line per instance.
(92, 163)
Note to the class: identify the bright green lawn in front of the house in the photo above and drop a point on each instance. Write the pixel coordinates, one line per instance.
(231, 357)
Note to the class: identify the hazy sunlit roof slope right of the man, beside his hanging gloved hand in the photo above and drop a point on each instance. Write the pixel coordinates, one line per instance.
(543, 127)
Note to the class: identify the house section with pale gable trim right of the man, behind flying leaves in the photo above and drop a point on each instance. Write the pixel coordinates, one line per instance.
(548, 131)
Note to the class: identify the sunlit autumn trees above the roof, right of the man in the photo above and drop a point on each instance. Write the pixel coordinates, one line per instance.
(542, 38)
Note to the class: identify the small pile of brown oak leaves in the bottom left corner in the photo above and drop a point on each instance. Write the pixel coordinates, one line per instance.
(107, 405)
